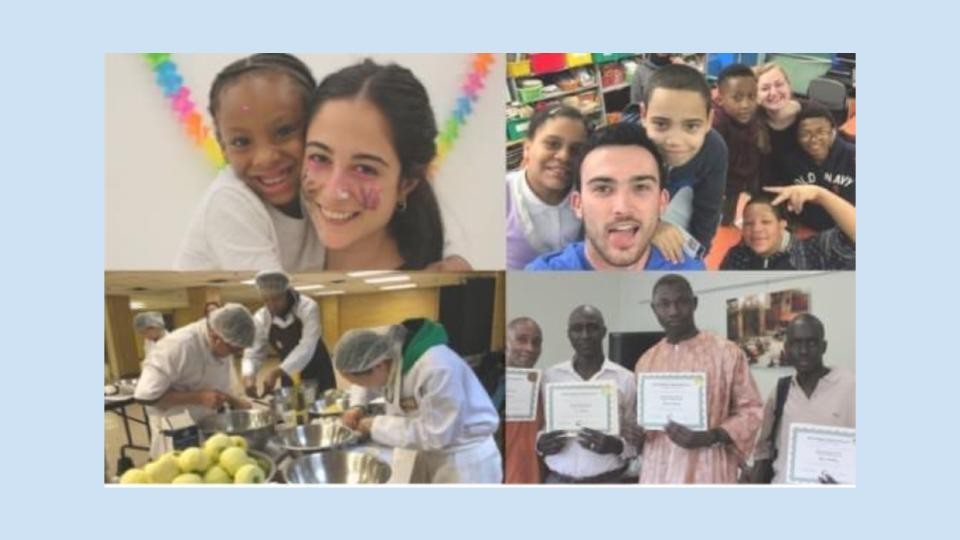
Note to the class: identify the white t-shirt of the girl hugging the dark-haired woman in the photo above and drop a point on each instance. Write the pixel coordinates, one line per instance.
(232, 229)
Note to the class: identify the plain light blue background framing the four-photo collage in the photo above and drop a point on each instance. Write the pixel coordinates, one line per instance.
(52, 91)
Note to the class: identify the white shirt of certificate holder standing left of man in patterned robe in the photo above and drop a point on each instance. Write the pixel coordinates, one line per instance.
(574, 460)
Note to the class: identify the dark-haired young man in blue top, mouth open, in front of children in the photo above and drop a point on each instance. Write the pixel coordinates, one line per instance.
(619, 196)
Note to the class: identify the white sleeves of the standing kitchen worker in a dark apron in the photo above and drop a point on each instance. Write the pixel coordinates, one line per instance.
(305, 309)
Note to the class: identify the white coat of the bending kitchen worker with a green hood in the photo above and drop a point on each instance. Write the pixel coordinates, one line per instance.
(440, 410)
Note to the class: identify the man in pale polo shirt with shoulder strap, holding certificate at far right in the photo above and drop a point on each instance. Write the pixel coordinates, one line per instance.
(804, 444)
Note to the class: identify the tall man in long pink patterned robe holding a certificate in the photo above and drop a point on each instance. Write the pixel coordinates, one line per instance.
(698, 406)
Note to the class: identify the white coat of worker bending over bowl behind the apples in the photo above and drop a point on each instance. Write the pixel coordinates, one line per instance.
(184, 361)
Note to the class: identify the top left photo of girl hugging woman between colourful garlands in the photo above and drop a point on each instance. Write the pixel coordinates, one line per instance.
(303, 162)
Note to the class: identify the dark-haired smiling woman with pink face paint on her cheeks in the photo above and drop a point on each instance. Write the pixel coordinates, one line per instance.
(370, 141)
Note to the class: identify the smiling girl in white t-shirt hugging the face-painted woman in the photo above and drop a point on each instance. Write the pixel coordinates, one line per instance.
(251, 217)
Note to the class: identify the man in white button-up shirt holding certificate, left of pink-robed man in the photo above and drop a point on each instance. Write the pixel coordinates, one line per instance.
(586, 400)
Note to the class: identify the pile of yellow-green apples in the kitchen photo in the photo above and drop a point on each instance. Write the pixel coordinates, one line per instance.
(222, 459)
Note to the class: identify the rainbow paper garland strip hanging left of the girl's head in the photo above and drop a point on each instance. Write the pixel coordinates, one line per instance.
(169, 79)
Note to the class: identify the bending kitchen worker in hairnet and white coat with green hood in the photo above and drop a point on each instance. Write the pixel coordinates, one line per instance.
(435, 404)
